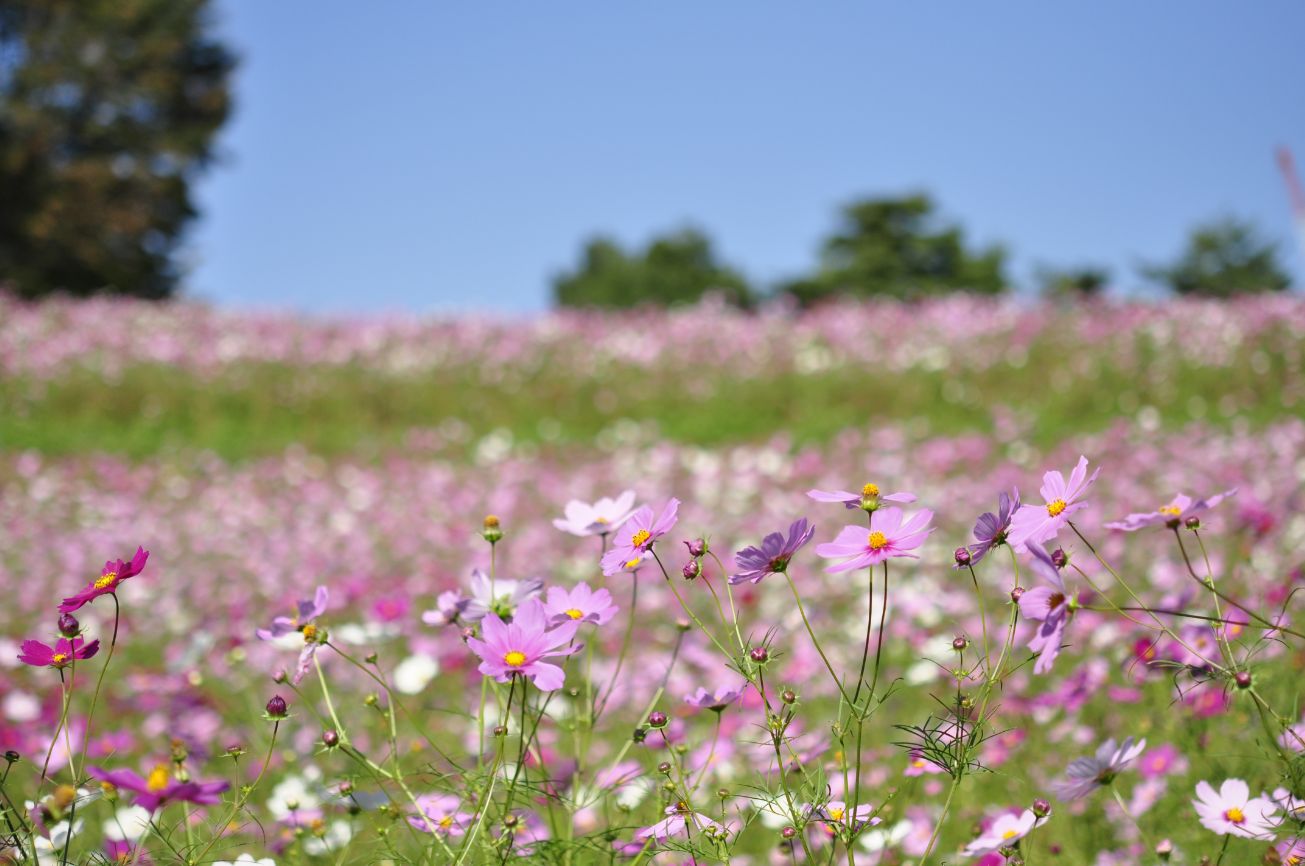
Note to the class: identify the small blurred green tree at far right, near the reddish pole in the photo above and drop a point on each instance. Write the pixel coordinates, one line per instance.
(1223, 259)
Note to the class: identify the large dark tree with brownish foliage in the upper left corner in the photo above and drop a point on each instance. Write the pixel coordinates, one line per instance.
(108, 114)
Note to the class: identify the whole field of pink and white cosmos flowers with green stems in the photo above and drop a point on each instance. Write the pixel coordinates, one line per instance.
(476, 638)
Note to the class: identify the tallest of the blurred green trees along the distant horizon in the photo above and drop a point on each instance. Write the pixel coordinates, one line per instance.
(898, 248)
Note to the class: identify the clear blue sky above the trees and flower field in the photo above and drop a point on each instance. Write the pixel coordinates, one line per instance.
(414, 156)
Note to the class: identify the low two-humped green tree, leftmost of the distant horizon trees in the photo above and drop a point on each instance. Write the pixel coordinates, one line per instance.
(677, 269)
